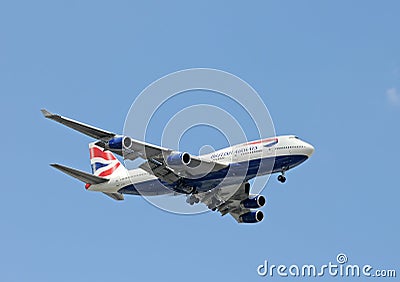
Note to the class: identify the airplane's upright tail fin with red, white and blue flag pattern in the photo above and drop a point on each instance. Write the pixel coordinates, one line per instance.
(104, 163)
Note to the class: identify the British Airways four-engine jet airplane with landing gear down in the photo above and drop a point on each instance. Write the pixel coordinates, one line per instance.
(220, 179)
